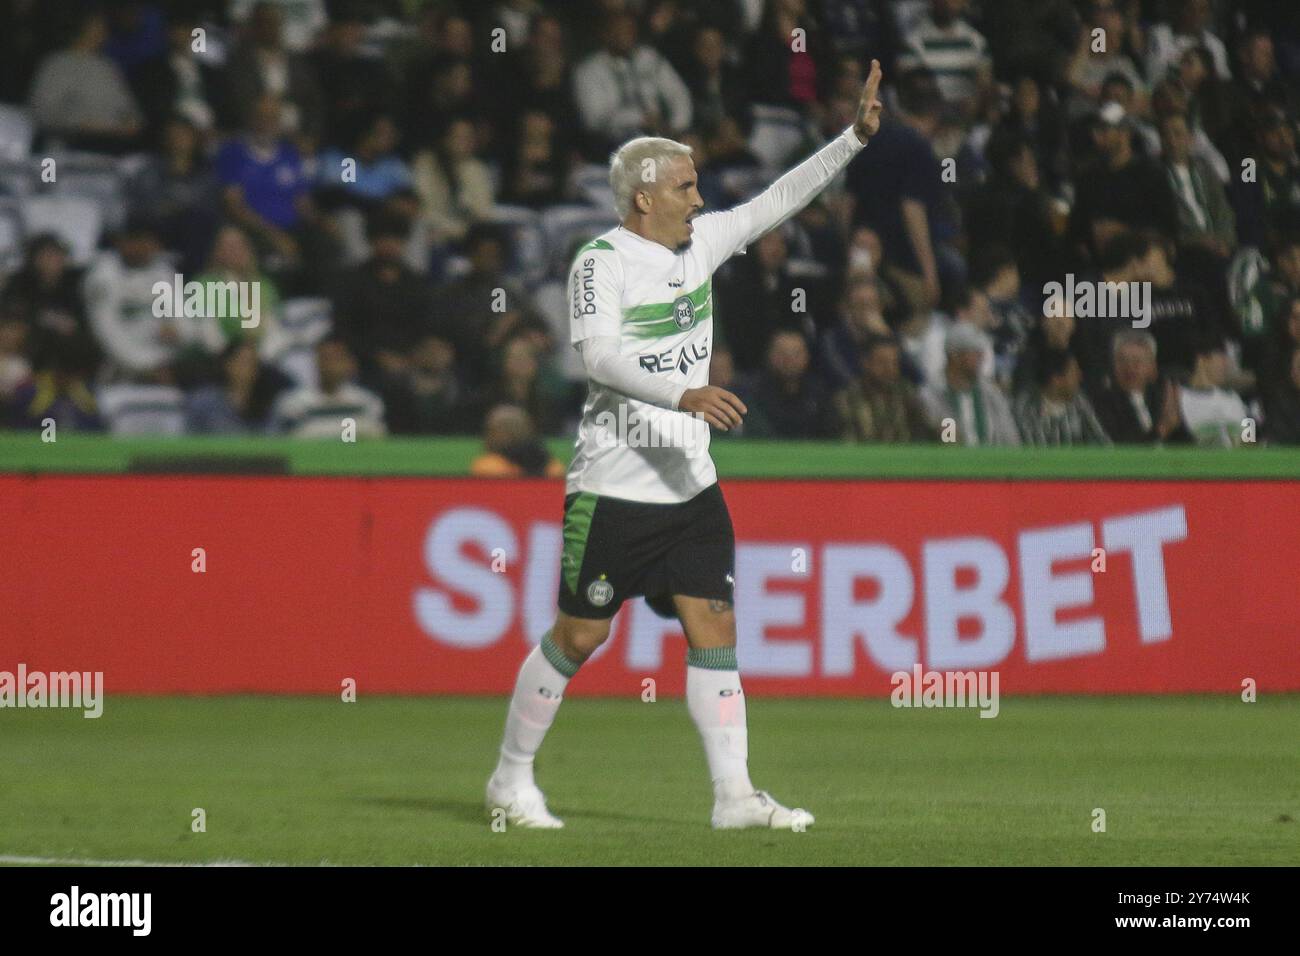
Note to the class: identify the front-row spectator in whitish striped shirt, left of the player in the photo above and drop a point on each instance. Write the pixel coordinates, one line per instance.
(336, 406)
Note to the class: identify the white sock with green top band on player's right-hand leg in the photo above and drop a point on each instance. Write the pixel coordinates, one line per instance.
(717, 706)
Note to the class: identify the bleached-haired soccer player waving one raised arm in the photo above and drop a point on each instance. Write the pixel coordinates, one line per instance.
(643, 512)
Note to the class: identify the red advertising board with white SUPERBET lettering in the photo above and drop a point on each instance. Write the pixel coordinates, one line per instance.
(440, 586)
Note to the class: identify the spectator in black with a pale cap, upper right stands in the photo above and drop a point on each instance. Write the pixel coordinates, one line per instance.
(1121, 189)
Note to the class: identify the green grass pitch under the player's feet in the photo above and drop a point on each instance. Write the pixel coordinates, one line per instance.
(1184, 781)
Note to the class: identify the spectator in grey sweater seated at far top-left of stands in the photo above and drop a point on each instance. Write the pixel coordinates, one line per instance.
(81, 98)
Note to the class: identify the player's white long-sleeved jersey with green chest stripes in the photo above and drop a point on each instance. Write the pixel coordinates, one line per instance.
(660, 305)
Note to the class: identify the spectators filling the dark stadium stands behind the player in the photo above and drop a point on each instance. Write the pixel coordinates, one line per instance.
(405, 185)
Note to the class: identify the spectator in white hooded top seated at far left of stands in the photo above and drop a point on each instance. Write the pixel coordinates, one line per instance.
(142, 344)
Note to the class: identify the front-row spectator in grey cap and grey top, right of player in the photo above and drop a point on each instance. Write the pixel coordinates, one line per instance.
(968, 408)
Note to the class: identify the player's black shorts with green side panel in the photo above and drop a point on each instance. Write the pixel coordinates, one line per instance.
(616, 550)
